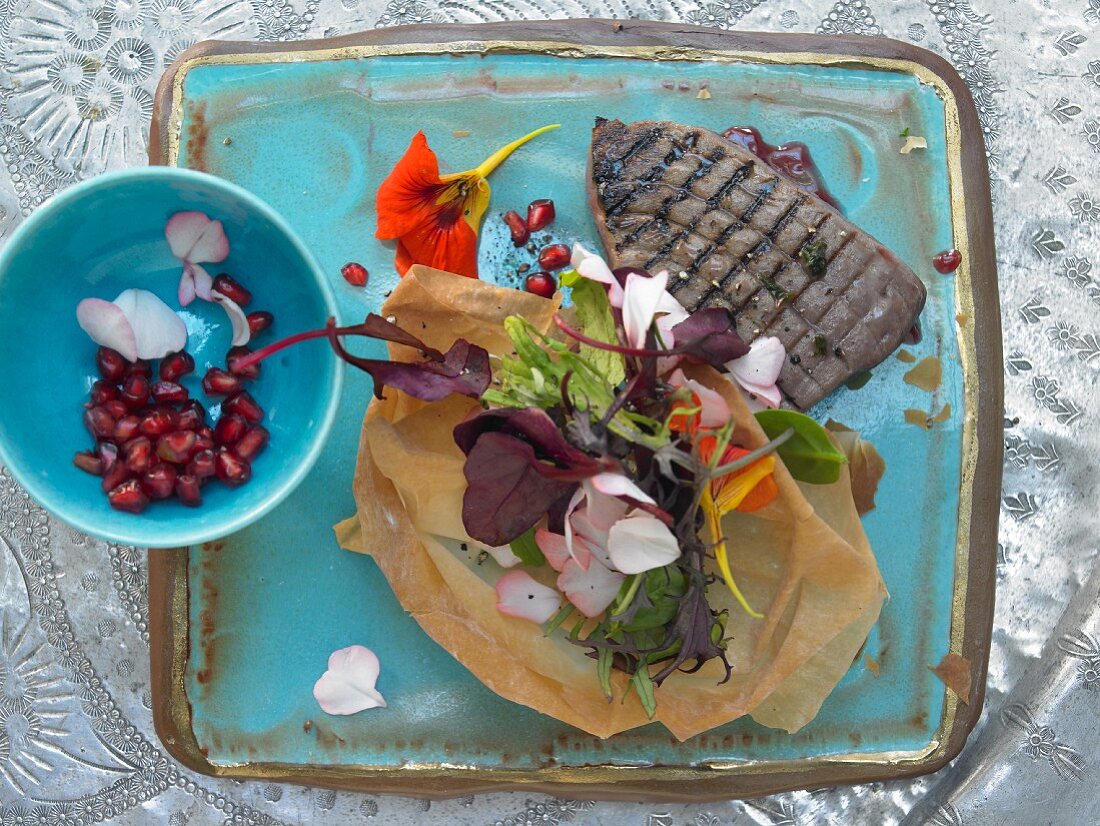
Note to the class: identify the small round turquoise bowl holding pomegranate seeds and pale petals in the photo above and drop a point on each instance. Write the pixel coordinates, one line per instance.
(103, 237)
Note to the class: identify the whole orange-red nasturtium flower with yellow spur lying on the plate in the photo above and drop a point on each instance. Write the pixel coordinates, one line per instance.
(435, 218)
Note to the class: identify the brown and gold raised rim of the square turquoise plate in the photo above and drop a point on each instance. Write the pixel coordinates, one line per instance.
(980, 331)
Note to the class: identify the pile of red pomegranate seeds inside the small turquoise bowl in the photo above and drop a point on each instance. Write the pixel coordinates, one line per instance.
(153, 442)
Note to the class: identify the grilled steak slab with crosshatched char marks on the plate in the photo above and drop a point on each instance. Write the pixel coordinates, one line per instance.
(733, 233)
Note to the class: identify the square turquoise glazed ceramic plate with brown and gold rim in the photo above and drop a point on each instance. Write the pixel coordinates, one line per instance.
(244, 627)
